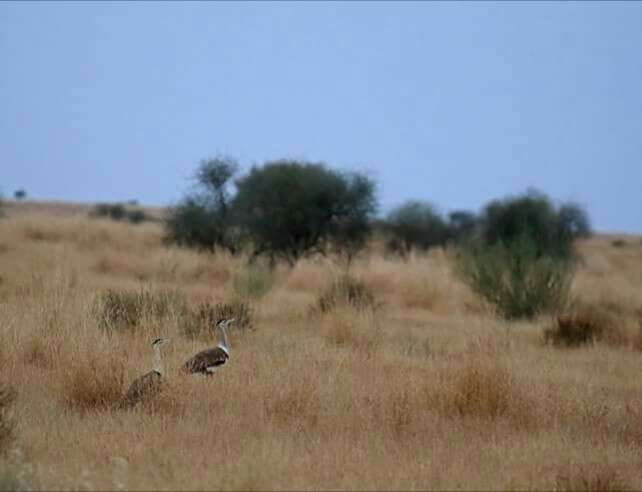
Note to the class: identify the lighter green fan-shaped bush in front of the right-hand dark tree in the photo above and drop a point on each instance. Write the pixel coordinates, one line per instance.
(515, 278)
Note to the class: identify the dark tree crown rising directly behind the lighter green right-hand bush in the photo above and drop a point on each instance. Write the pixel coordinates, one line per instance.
(532, 214)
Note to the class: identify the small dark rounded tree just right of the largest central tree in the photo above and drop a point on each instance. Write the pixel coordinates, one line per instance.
(417, 225)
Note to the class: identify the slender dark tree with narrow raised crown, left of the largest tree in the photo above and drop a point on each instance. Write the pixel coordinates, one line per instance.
(204, 219)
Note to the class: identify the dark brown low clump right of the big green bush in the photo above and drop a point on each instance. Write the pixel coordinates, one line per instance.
(582, 324)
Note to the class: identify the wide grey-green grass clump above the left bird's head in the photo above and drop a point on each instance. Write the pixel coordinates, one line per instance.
(119, 310)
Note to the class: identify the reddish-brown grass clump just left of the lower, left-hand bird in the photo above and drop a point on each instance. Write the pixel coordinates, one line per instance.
(94, 384)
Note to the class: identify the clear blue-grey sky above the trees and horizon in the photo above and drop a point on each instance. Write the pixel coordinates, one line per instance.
(456, 103)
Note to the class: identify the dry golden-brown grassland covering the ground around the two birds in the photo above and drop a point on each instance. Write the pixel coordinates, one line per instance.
(425, 391)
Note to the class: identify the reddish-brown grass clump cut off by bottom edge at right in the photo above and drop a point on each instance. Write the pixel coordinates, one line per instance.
(594, 478)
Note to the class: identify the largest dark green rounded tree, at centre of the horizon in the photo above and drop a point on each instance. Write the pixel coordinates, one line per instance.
(291, 208)
